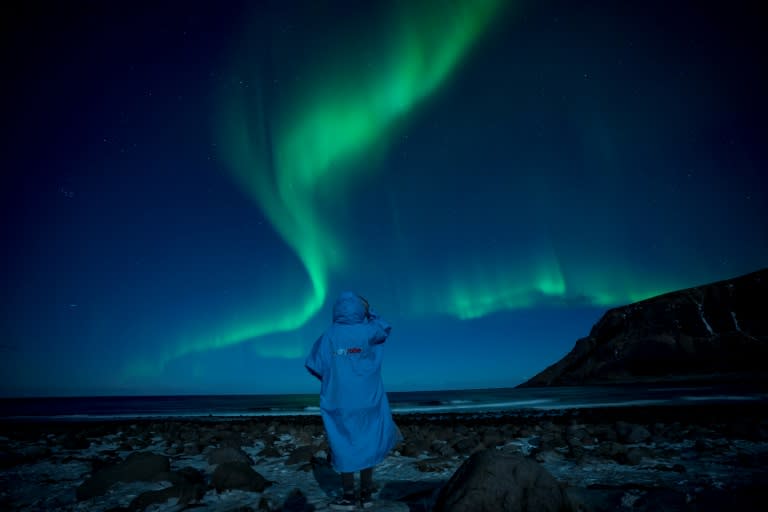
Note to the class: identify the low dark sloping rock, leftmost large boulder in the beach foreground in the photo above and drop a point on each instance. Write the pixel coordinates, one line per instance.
(142, 466)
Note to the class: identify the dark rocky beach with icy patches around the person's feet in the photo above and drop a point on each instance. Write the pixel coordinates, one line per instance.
(700, 457)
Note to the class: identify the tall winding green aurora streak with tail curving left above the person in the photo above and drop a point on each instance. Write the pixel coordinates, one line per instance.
(295, 162)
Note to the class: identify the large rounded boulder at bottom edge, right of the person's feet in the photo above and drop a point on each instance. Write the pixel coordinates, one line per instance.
(496, 481)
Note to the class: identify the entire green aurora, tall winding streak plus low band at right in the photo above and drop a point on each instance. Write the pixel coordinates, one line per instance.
(295, 158)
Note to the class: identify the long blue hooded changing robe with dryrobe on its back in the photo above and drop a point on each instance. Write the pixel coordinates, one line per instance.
(355, 410)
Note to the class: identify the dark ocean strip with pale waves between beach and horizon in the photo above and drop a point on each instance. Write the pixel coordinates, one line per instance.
(419, 402)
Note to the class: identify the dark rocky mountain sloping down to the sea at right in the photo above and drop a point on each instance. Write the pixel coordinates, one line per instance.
(706, 333)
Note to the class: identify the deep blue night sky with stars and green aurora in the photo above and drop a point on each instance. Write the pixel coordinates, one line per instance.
(187, 186)
